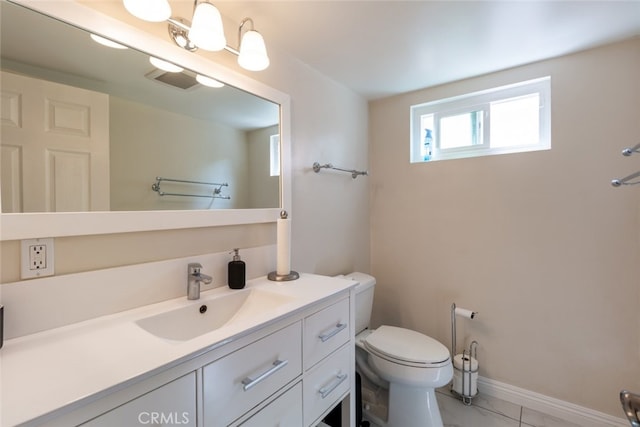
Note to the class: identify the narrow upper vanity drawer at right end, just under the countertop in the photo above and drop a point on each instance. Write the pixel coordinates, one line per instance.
(325, 331)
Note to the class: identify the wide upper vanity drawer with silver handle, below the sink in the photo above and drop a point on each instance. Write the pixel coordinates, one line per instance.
(238, 382)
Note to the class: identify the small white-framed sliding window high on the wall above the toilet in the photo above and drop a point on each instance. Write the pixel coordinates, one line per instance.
(507, 119)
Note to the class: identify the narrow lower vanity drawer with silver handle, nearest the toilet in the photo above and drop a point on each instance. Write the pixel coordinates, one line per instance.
(326, 383)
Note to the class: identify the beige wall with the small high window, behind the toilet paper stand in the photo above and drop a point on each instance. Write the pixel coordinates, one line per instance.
(539, 243)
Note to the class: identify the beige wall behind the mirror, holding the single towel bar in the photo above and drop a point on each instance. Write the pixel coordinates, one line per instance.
(329, 124)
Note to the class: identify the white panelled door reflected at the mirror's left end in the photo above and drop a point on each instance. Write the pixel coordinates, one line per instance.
(55, 147)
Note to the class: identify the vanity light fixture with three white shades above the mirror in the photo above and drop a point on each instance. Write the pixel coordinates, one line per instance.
(205, 31)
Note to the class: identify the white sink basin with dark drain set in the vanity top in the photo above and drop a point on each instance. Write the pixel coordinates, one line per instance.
(211, 313)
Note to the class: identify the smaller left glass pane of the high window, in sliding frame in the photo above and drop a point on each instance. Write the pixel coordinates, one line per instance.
(462, 130)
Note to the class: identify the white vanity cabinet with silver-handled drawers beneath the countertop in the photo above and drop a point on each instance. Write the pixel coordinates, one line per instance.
(286, 372)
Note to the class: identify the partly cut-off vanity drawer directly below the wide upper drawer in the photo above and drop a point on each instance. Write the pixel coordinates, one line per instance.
(285, 411)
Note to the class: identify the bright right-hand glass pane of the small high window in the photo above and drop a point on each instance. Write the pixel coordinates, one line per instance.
(515, 121)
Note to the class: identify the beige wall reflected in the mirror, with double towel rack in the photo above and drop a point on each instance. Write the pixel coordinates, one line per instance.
(148, 142)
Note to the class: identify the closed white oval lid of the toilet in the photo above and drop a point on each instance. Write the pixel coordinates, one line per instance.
(406, 345)
